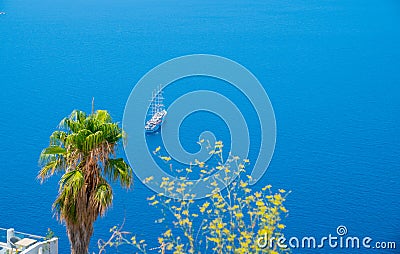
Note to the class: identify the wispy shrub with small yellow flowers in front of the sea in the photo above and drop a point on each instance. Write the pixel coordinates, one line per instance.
(228, 221)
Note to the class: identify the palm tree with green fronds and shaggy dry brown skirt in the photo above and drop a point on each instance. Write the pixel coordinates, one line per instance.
(83, 150)
